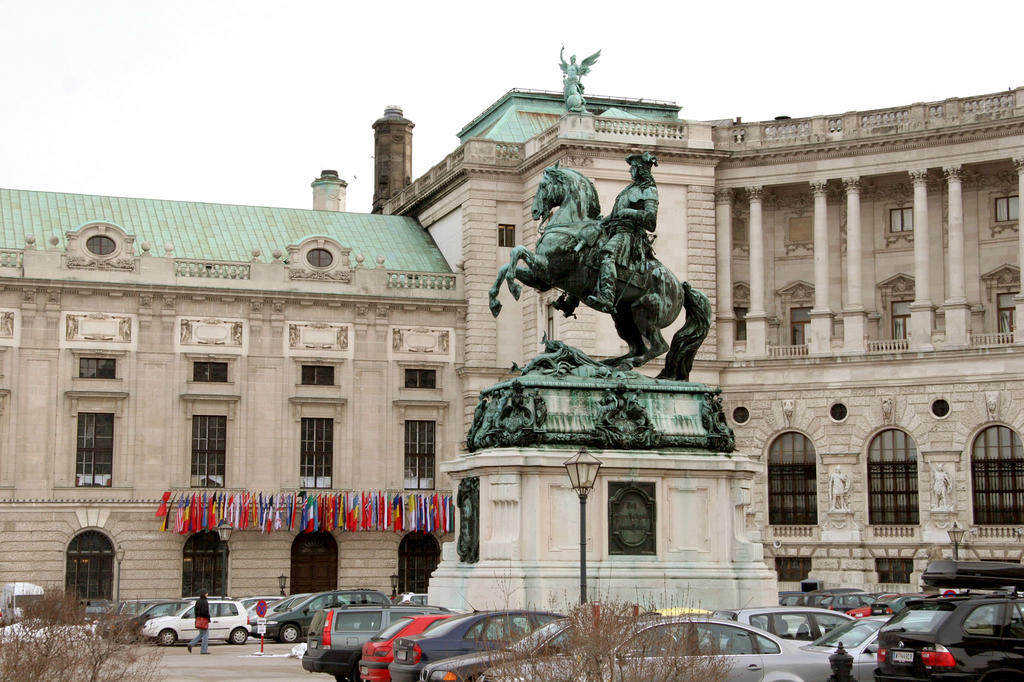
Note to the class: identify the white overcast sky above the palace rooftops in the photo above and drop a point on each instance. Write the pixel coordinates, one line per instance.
(245, 103)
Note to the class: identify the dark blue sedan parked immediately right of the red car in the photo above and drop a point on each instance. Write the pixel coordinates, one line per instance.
(462, 634)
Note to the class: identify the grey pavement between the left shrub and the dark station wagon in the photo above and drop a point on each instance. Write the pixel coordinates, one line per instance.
(229, 662)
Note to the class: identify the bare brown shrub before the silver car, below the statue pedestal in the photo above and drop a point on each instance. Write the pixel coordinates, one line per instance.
(612, 641)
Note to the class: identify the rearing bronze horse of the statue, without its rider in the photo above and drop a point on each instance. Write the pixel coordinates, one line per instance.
(646, 303)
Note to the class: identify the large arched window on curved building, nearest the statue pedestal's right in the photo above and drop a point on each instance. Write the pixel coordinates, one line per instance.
(793, 496)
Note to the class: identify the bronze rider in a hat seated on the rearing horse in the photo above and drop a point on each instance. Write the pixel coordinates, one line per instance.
(628, 245)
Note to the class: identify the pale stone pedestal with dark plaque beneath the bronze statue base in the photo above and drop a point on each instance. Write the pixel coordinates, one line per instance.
(684, 533)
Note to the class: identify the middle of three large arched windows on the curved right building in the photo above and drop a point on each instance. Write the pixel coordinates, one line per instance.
(892, 480)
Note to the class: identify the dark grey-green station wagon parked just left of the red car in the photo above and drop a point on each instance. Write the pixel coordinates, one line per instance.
(336, 636)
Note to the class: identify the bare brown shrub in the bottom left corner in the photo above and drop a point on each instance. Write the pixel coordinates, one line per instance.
(54, 642)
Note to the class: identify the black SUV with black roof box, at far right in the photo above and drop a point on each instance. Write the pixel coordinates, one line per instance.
(959, 637)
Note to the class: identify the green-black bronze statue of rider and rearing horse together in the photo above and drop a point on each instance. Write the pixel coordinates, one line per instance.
(609, 265)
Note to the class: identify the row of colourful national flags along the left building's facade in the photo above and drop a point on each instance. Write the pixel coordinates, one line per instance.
(308, 513)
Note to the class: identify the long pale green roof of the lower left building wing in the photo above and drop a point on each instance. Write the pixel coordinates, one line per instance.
(218, 232)
